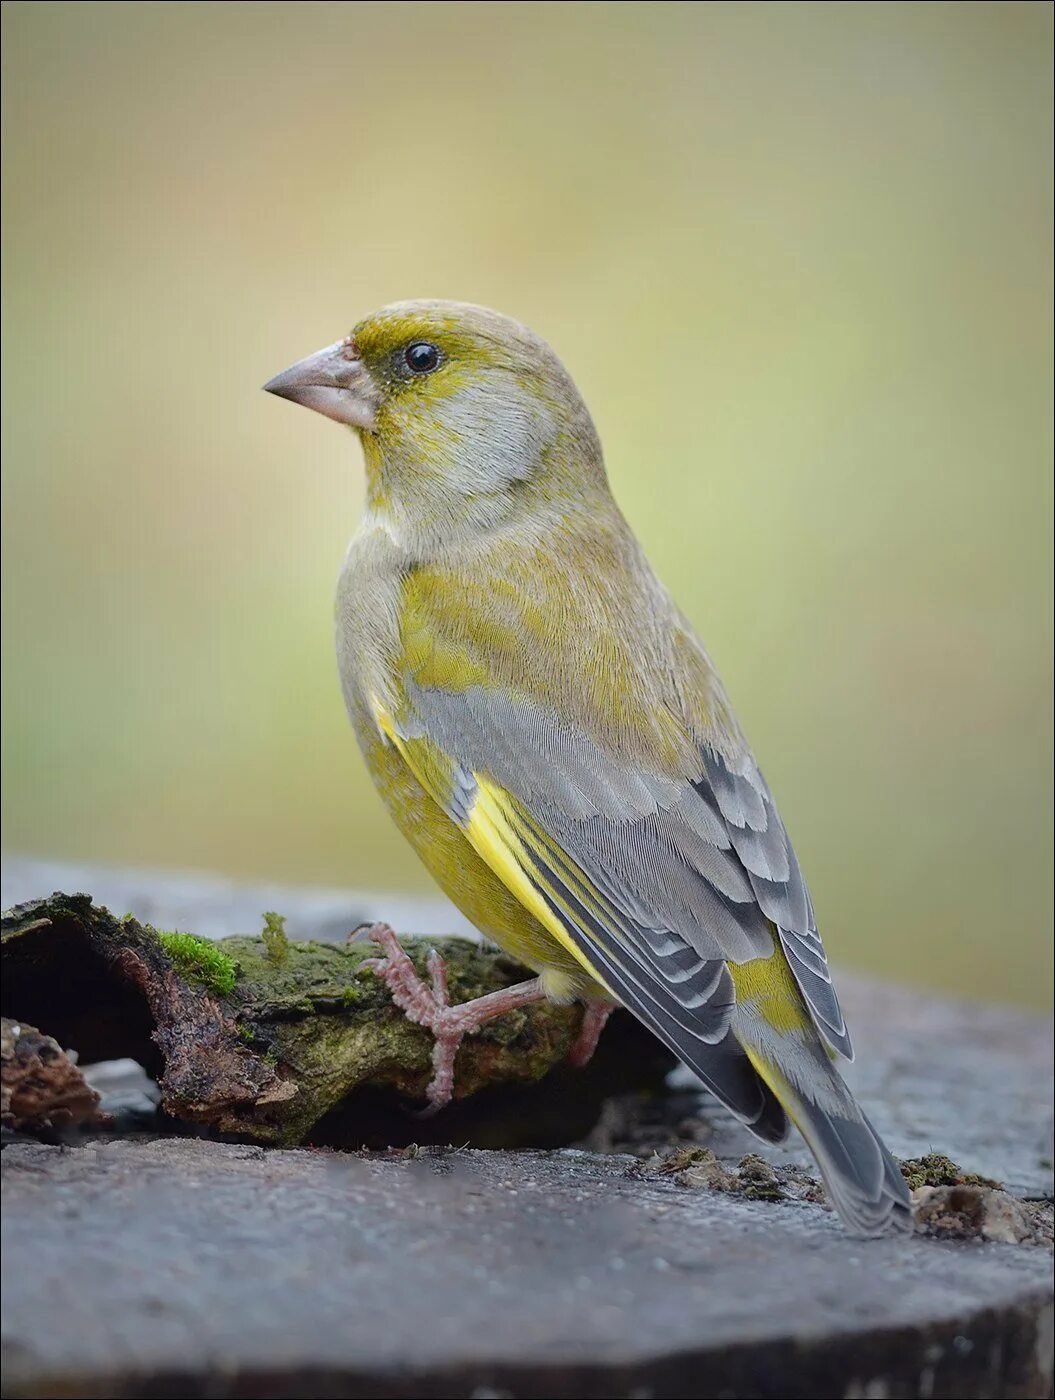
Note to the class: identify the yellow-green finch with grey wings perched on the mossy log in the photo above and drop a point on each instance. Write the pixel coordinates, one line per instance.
(552, 738)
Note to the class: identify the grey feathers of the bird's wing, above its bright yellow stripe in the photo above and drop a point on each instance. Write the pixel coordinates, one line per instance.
(695, 874)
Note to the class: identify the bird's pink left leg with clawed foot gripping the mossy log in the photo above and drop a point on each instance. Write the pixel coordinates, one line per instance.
(427, 1006)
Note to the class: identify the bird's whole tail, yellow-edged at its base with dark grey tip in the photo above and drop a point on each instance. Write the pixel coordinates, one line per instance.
(863, 1181)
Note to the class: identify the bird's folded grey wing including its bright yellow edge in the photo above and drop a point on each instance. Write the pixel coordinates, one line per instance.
(653, 883)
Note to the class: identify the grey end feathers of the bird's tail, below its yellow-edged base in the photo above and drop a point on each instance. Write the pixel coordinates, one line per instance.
(863, 1181)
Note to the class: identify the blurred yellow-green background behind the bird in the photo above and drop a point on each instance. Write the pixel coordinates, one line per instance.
(795, 255)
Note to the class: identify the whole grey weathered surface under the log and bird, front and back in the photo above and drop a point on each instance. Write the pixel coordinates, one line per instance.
(658, 1263)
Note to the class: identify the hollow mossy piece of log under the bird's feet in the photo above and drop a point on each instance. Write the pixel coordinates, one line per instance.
(288, 1042)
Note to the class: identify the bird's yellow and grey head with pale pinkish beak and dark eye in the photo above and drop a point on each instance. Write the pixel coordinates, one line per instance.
(461, 411)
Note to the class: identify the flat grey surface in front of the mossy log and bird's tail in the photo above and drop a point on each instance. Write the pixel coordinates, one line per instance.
(184, 1268)
